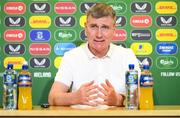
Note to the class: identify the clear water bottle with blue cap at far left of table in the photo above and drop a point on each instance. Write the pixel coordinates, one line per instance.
(10, 88)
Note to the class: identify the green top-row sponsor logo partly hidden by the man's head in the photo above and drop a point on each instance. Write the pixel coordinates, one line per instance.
(119, 7)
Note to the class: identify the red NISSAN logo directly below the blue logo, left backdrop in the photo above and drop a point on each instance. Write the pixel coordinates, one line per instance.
(40, 49)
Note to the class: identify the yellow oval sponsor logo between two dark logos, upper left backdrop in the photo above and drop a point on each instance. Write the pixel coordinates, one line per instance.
(40, 21)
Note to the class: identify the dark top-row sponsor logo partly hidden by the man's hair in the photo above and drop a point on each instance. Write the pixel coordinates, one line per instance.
(86, 5)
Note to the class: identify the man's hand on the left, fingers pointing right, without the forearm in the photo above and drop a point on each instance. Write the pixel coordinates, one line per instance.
(86, 93)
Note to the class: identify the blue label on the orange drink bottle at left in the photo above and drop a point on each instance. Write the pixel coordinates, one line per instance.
(24, 80)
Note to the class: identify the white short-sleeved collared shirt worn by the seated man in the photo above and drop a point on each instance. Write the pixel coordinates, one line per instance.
(79, 66)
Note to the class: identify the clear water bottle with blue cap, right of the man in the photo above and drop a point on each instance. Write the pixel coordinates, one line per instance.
(131, 88)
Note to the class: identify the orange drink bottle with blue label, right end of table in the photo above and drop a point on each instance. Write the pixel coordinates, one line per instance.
(146, 89)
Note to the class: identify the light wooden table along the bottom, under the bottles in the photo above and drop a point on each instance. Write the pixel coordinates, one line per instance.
(58, 111)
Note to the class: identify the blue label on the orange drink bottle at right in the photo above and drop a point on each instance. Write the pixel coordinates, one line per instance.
(146, 81)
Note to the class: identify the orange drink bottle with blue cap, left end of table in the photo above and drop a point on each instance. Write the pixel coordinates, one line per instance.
(25, 89)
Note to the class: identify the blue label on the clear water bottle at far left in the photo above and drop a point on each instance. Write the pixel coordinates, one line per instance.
(9, 79)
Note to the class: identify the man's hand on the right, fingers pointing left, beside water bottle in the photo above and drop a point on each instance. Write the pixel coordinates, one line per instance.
(109, 95)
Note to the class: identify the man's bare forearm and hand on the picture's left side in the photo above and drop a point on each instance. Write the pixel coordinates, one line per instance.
(59, 94)
